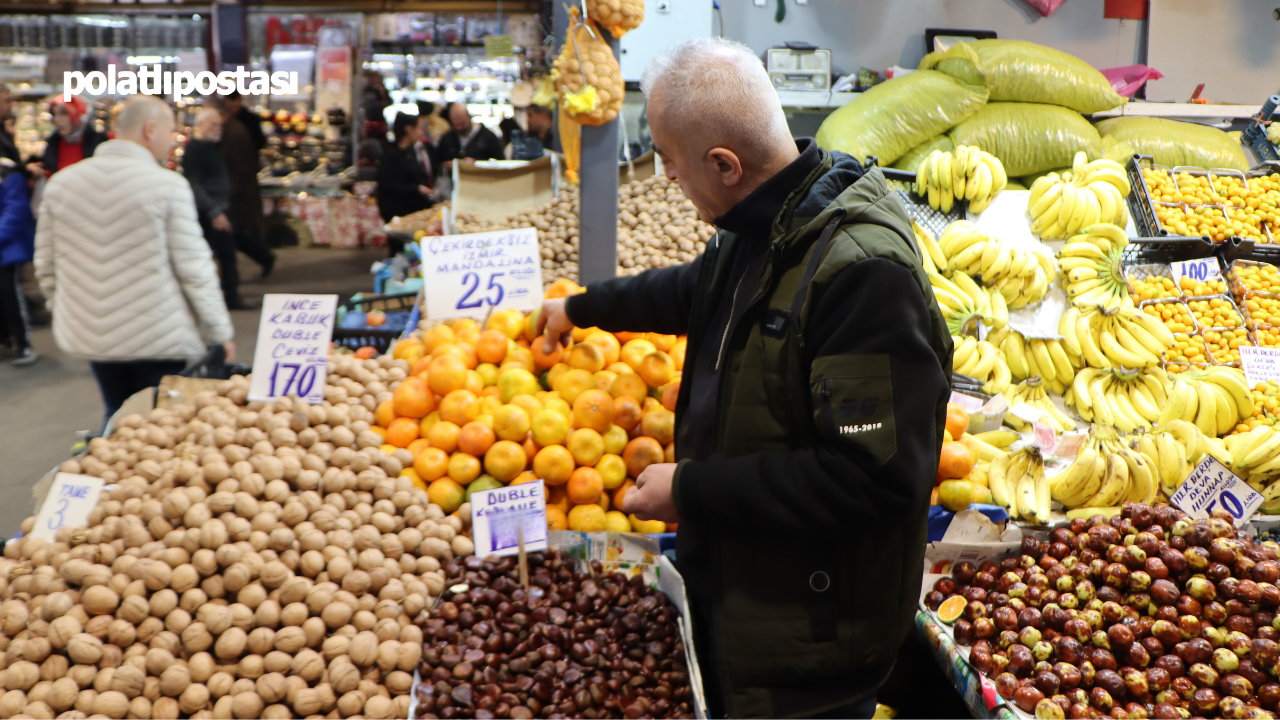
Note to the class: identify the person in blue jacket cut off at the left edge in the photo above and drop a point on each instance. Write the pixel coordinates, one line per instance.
(17, 247)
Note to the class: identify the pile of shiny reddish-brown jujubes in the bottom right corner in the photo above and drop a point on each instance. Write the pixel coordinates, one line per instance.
(1149, 614)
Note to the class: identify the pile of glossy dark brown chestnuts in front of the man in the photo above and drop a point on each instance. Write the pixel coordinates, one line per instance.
(573, 645)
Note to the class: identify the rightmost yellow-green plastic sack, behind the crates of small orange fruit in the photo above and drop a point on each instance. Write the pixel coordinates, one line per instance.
(1173, 143)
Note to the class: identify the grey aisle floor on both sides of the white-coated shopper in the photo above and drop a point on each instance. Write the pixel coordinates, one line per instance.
(43, 407)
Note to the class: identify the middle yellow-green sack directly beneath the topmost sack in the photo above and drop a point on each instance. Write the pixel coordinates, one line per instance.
(1030, 138)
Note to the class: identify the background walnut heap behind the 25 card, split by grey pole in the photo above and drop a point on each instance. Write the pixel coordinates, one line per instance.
(659, 227)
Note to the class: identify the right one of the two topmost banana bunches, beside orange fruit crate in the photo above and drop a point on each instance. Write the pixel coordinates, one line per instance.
(1086, 195)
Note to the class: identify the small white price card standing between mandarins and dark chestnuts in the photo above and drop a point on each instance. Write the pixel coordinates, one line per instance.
(501, 516)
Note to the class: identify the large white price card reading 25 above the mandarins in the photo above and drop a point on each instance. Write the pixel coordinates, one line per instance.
(467, 276)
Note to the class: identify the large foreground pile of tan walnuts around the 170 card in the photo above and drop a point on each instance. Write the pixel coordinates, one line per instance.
(254, 560)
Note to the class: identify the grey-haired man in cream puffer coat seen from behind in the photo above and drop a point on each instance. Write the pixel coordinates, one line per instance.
(122, 262)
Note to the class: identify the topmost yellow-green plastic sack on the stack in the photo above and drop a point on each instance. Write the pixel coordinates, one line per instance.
(1018, 71)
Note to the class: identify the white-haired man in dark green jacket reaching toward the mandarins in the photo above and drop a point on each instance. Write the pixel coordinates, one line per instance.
(811, 412)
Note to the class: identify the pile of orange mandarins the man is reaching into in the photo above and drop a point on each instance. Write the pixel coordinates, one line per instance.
(487, 408)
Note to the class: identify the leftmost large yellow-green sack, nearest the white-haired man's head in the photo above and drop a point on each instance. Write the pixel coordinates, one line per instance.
(898, 115)
